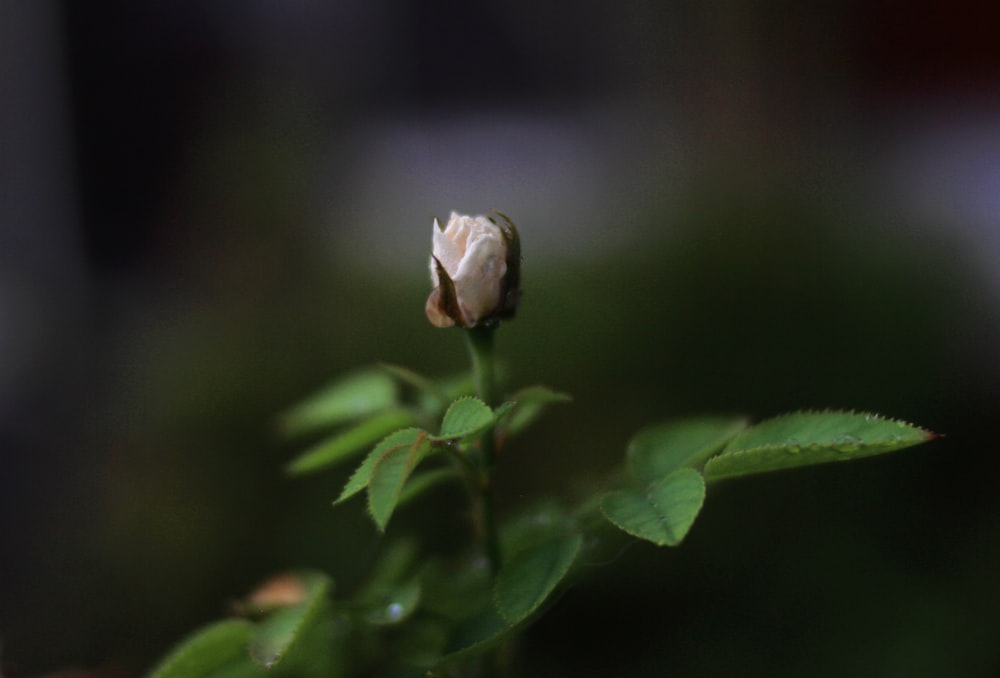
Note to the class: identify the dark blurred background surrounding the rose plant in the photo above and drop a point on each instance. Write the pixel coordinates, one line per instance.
(209, 209)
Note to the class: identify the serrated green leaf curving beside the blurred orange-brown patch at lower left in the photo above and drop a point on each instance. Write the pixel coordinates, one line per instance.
(275, 636)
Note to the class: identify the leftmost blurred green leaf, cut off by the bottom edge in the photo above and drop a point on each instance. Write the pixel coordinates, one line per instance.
(205, 651)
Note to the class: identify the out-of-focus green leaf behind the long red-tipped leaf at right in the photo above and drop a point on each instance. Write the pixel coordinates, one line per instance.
(661, 449)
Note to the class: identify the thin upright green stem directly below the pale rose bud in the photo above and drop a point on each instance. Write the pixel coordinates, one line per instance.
(480, 340)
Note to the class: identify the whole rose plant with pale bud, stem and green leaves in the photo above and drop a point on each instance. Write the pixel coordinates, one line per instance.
(427, 615)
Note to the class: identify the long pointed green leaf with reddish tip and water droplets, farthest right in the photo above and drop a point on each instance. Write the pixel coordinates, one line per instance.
(807, 438)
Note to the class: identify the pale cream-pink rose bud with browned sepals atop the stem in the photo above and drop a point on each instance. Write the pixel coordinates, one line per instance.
(475, 269)
